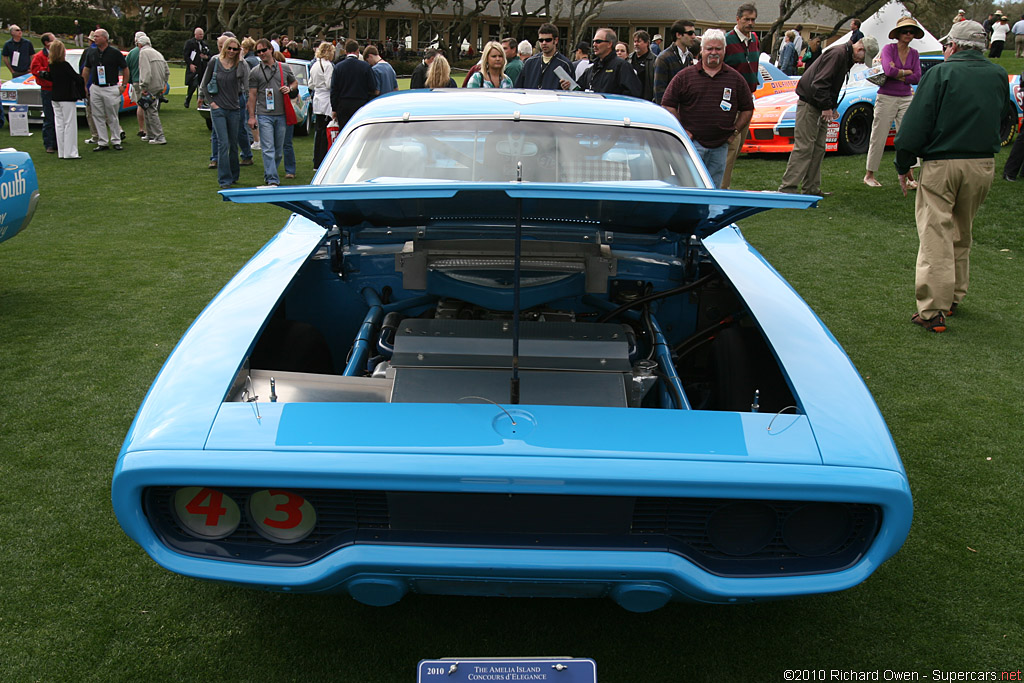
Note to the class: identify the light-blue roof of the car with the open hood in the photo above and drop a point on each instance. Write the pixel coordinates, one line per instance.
(505, 103)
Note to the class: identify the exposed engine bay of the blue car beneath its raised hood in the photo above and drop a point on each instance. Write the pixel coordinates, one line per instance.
(434, 321)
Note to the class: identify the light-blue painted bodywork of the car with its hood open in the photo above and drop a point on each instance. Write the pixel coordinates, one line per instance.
(832, 448)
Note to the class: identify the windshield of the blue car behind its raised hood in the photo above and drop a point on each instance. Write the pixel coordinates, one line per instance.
(477, 151)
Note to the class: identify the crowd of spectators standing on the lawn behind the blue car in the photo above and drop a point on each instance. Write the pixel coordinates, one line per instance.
(948, 130)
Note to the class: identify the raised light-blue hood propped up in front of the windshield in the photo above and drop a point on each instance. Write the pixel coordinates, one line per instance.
(642, 207)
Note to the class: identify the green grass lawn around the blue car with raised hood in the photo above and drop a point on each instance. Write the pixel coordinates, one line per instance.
(127, 248)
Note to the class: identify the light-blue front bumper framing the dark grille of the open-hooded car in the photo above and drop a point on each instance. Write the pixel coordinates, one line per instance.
(378, 573)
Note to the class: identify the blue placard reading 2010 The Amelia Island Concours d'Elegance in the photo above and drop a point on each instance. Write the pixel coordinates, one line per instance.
(502, 670)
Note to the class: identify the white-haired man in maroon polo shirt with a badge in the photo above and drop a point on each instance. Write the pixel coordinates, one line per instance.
(712, 102)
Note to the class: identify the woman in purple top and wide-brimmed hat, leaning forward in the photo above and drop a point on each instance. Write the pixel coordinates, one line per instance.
(903, 67)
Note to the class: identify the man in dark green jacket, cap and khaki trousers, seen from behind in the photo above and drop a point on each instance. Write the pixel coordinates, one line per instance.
(954, 126)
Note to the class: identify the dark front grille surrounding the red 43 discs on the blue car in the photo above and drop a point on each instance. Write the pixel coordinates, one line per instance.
(727, 537)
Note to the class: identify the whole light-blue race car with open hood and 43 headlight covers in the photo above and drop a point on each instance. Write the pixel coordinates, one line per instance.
(511, 344)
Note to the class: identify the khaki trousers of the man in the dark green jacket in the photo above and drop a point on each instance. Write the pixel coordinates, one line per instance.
(950, 193)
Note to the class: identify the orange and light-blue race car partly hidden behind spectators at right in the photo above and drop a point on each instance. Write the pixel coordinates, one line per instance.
(775, 117)
